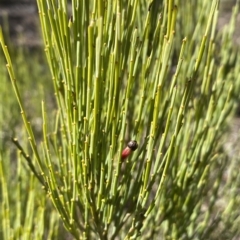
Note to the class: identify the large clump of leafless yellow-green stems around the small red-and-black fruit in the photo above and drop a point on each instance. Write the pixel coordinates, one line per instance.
(131, 70)
